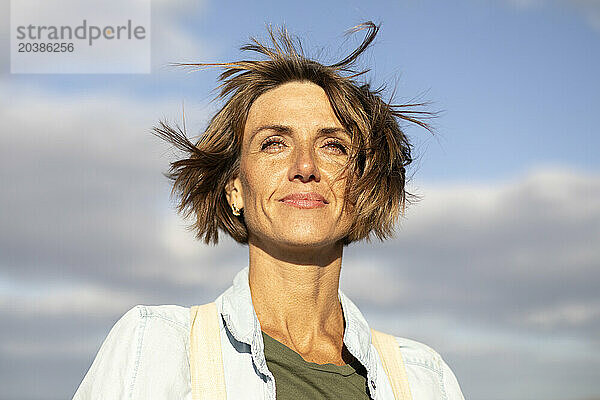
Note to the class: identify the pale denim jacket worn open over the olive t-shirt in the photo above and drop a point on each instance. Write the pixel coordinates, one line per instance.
(146, 355)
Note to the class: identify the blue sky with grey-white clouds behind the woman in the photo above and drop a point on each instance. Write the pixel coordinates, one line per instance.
(496, 268)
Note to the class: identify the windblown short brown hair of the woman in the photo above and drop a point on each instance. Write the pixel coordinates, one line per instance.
(380, 151)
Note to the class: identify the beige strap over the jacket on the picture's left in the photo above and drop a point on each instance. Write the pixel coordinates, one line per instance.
(206, 360)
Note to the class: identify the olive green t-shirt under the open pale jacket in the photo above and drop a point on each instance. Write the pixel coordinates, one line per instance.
(296, 378)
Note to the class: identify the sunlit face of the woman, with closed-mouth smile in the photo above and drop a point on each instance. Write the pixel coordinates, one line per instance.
(293, 149)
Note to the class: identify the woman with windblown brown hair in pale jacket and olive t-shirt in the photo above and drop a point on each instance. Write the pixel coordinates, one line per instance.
(300, 162)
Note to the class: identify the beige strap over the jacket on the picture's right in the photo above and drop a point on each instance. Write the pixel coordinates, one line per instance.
(391, 358)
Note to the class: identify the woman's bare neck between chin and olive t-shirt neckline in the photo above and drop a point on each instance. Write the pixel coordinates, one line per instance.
(297, 303)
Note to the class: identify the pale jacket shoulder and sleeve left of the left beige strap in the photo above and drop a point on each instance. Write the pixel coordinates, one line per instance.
(145, 355)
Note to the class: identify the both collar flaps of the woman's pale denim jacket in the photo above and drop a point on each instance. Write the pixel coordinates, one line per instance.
(235, 306)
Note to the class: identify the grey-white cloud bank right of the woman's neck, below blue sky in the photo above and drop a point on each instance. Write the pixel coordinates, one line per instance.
(493, 253)
